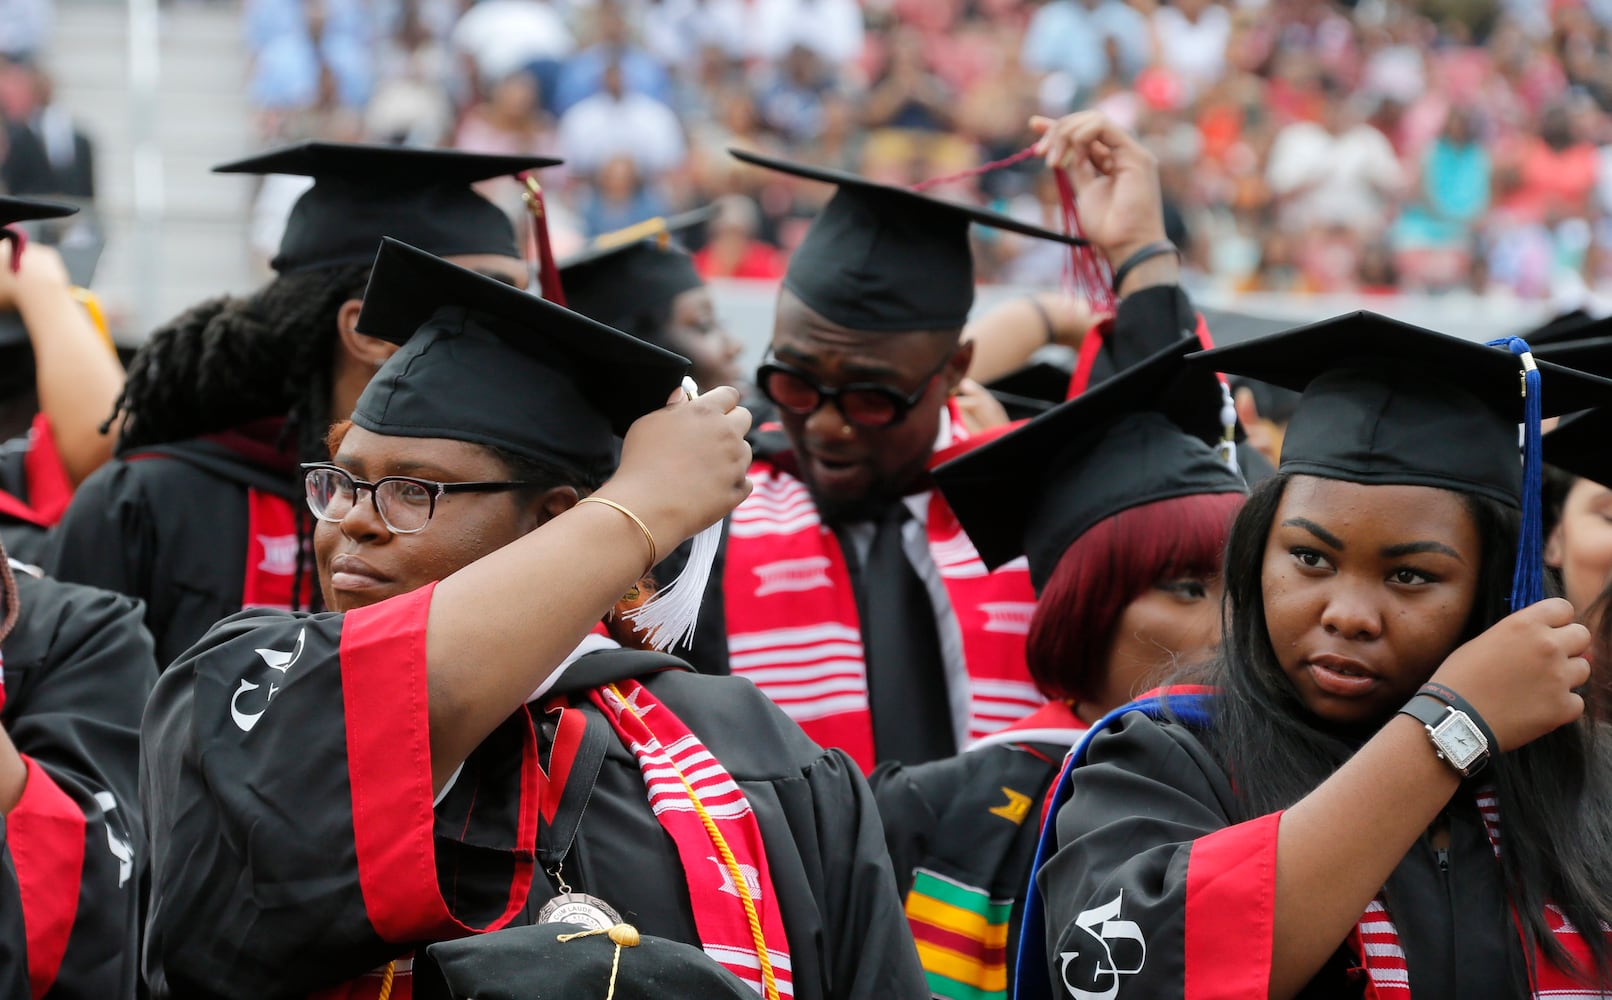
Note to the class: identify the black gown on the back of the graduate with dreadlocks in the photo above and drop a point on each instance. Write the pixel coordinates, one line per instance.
(168, 525)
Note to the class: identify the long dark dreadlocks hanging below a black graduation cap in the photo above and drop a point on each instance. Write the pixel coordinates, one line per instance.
(231, 362)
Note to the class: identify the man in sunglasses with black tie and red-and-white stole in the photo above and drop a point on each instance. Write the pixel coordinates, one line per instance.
(850, 596)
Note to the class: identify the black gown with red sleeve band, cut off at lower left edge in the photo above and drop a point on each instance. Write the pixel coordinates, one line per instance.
(78, 670)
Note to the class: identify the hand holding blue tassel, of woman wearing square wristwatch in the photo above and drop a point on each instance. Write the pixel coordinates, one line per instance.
(1521, 673)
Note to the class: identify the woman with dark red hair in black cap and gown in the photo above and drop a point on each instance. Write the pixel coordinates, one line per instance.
(1123, 515)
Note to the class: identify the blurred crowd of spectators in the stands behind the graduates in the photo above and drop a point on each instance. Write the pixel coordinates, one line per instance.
(1442, 146)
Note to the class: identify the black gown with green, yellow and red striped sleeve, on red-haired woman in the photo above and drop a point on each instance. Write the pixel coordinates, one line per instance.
(962, 835)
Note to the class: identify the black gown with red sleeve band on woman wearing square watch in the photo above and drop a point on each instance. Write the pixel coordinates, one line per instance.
(1157, 893)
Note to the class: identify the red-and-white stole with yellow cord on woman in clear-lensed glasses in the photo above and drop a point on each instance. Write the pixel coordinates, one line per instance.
(718, 838)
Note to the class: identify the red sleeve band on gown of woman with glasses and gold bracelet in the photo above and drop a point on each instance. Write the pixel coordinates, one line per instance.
(384, 702)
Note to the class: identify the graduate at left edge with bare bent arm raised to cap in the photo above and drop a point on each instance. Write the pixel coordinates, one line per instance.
(57, 378)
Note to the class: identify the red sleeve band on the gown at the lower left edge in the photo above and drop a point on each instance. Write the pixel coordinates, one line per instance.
(46, 836)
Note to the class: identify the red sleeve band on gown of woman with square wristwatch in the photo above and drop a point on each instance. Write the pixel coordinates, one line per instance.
(1231, 910)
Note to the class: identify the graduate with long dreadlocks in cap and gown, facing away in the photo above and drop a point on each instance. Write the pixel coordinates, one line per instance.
(201, 514)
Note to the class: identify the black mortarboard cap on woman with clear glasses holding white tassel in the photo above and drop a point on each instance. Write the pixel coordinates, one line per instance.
(489, 364)
